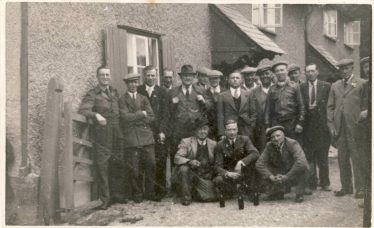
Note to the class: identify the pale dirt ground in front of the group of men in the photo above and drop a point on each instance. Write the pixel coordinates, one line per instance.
(320, 209)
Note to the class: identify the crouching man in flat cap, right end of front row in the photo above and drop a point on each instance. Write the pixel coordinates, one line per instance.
(282, 164)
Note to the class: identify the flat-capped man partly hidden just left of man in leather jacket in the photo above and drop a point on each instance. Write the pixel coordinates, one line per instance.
(259, 95)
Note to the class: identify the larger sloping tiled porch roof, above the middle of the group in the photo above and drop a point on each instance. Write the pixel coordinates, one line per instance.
(250, 30)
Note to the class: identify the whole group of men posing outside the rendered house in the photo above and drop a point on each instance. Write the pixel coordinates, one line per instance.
(265, 130)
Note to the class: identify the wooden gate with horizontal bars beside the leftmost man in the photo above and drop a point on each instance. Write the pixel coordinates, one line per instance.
(79, 186)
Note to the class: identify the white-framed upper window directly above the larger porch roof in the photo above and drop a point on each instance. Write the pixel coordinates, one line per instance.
(268, 16)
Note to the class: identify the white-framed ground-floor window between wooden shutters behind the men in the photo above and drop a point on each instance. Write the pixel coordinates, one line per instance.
(142, 51)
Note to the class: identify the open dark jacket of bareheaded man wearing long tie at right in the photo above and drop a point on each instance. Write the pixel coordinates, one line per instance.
(320, 127)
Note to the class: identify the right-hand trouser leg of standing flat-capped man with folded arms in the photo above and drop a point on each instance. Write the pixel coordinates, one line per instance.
(149, 167)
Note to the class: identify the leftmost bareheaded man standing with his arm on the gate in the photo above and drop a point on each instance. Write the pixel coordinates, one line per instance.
(101, 105)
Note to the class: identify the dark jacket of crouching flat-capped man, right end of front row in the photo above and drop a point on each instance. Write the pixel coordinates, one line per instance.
(291, 163)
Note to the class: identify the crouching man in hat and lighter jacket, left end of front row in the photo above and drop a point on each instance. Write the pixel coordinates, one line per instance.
(194, 161)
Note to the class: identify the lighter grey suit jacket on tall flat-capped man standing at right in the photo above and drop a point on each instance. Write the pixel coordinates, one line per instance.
(347, 102)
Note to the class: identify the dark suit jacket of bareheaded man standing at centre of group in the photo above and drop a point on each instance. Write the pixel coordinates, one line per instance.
(245, 116)
